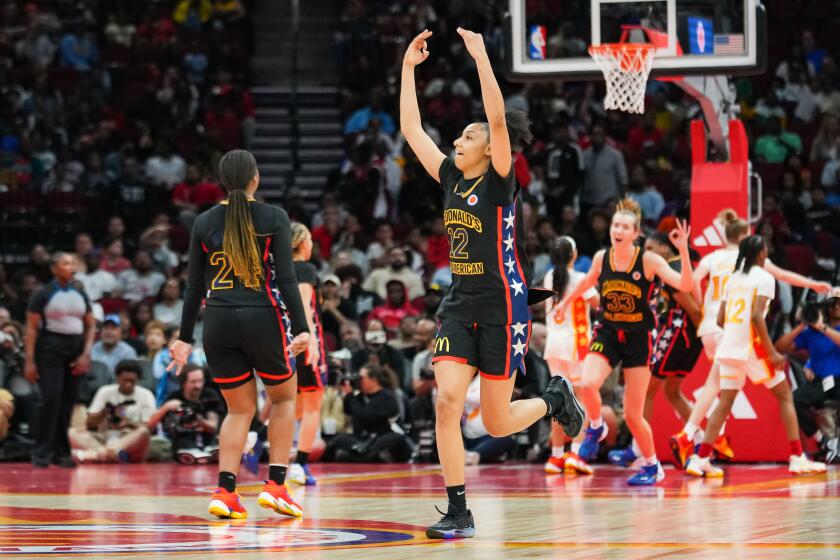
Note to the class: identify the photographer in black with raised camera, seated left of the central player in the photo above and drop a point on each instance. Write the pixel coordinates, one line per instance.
(371, 404)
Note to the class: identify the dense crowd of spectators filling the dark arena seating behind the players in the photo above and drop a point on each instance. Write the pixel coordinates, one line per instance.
(123, 124)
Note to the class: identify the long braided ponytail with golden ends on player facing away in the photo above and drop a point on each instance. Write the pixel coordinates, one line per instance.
(237, 169)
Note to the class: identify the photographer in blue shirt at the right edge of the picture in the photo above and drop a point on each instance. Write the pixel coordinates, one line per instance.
(819, 335)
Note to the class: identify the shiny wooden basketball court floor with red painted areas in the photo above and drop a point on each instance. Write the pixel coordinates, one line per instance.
(377, 511)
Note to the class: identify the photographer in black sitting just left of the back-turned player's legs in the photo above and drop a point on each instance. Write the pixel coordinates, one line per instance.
(190, 418)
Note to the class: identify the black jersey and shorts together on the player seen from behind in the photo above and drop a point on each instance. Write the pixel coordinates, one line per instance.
(246, 324)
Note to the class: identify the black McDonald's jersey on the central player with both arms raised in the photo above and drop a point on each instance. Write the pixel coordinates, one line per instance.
(490, 270)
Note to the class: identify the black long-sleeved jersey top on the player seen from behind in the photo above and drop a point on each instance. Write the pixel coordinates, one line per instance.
(211, 275)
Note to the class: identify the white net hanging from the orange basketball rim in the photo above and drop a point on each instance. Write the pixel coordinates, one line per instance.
(626, 67)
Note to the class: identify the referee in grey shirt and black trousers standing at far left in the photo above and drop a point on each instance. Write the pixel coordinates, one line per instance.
(59, 335)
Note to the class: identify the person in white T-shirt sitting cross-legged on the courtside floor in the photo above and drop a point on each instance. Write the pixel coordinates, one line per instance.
(117, 420)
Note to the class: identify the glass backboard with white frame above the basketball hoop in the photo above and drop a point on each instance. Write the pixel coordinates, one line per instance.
(547, 39)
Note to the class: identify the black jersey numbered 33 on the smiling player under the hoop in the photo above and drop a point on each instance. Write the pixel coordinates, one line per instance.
(626, 296)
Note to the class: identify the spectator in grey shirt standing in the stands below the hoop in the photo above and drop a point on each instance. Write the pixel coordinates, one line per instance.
(606, 173)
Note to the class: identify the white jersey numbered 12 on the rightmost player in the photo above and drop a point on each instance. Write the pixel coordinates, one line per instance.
(740, 296)
